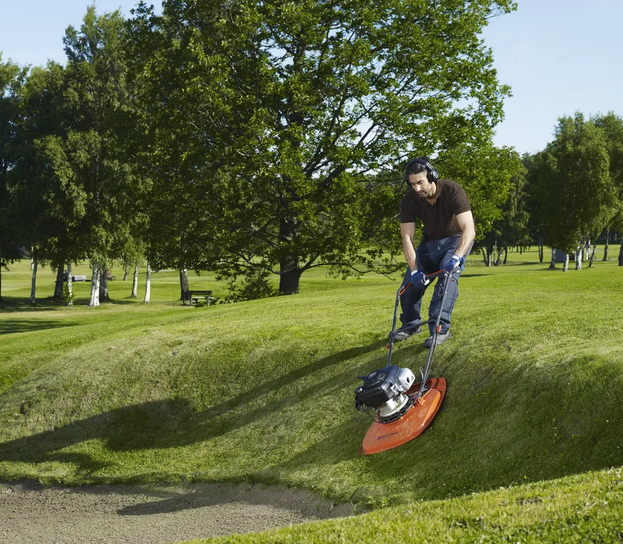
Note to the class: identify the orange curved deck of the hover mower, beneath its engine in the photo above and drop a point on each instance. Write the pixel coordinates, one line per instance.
(385, 436)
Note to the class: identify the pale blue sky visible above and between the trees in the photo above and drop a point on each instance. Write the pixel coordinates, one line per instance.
(558, 56)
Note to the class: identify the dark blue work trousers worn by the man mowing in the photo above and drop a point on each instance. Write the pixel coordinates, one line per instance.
(431, 257)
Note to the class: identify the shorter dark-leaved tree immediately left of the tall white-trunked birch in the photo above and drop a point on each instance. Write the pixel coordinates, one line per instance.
(47, 201)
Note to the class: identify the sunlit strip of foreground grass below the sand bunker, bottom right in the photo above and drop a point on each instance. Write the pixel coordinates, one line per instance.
(577, 509)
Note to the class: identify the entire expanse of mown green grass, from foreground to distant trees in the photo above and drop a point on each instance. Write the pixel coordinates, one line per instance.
(263, 391)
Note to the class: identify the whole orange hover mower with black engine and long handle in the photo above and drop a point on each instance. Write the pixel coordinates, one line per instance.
(401, 409)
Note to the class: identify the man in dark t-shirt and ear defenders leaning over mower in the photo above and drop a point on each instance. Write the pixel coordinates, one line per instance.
(445, 212)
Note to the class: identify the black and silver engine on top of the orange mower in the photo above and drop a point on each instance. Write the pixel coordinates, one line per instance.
(384, 391)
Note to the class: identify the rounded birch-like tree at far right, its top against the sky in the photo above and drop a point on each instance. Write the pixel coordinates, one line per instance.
(575, 185)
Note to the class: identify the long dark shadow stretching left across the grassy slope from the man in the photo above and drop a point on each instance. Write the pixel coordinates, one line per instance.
(175, 422)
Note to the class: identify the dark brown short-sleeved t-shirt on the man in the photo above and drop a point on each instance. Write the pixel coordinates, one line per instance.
(439, 219)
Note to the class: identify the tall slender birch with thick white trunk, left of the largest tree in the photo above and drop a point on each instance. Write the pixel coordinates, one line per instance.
(99, 103)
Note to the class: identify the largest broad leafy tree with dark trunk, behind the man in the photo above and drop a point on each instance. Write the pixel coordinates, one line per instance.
(287, 113)
